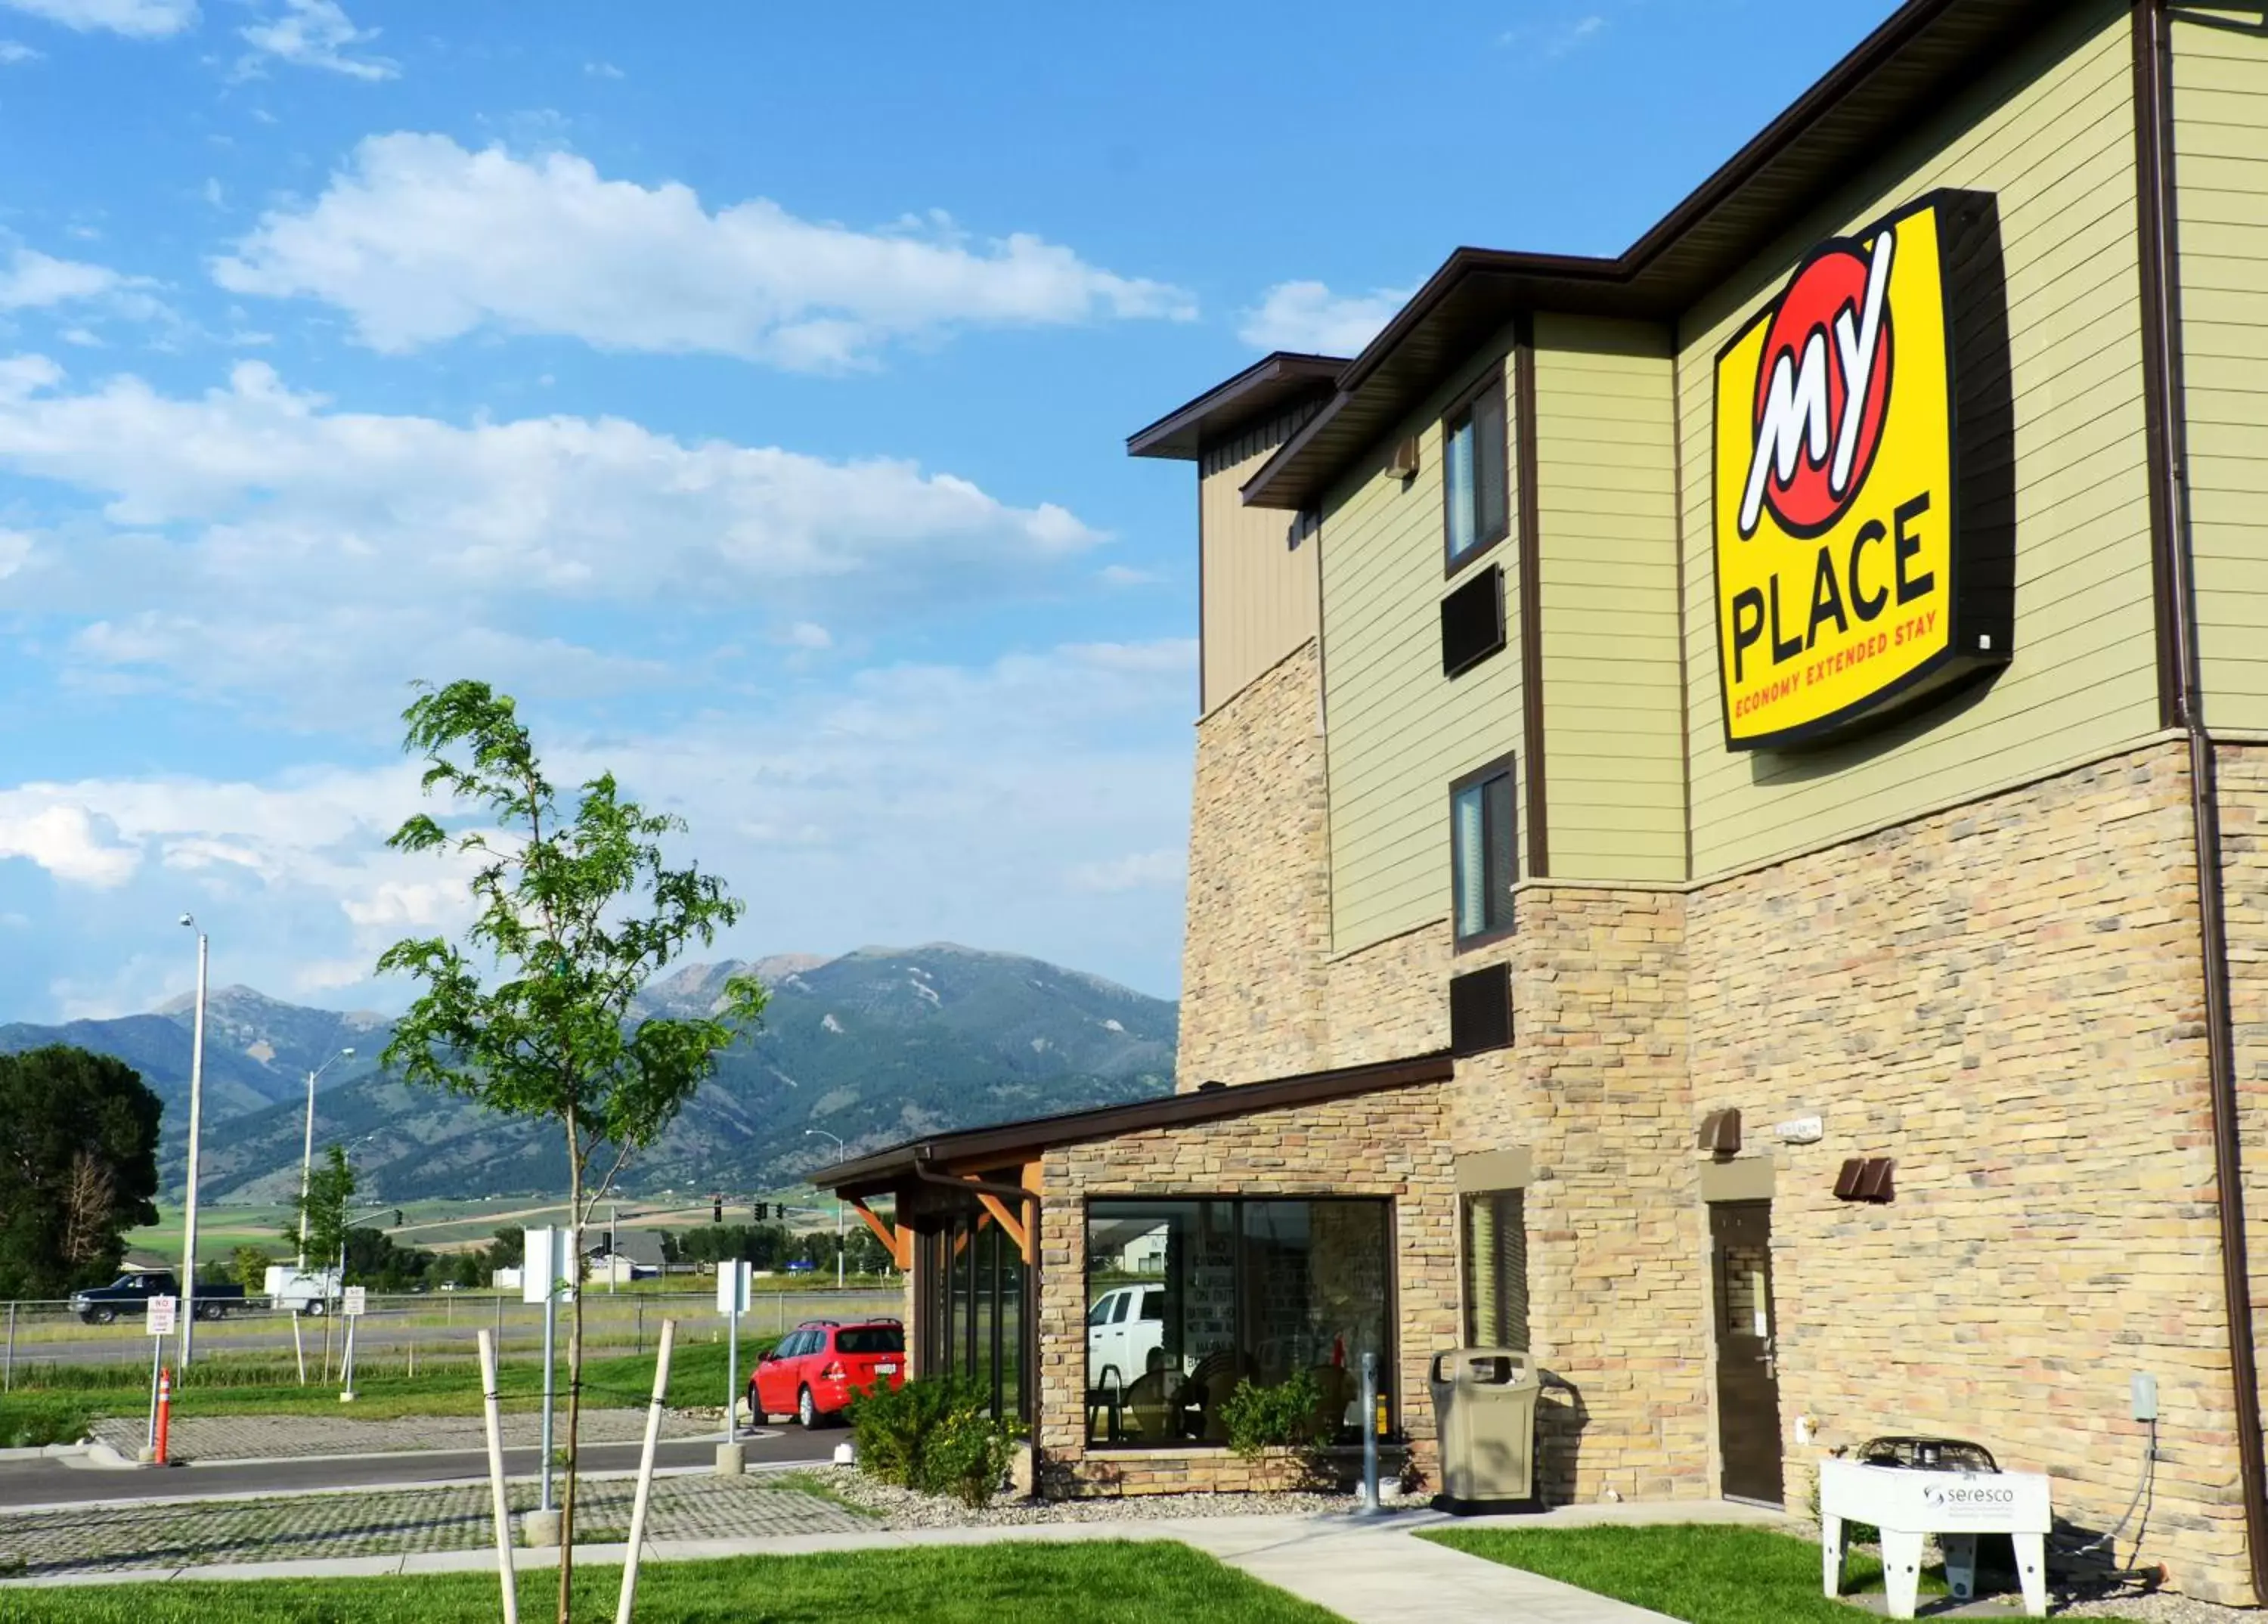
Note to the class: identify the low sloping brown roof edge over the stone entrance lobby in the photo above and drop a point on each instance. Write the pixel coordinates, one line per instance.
(1017, 1142)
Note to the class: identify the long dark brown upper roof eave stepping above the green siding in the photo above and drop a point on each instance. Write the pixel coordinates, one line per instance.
(1922, 56)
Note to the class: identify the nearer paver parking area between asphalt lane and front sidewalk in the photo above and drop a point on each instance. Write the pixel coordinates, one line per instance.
(396, 1523)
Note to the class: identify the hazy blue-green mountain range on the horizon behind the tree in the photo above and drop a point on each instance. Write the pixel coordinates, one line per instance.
(870, 1047)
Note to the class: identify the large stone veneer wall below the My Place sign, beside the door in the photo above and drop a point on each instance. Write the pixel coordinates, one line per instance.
(2006, 999)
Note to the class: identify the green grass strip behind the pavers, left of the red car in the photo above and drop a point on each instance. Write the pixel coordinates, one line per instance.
(71, 1396)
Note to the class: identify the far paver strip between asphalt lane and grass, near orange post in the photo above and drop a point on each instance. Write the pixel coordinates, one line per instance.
(301, 1437)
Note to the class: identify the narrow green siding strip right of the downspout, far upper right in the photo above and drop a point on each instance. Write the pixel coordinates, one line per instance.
(2222, 187)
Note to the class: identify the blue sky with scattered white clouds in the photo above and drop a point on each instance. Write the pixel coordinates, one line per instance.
(741, 387)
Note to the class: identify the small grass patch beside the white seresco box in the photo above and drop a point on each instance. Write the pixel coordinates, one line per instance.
(1698, 1573)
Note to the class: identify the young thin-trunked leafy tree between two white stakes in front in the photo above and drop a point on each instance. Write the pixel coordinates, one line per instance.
(575, 913)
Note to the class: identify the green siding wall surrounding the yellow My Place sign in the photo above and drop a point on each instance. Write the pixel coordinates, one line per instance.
(2054, 135)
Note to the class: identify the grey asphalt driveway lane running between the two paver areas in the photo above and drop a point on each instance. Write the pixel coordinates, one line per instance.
(62, 1485)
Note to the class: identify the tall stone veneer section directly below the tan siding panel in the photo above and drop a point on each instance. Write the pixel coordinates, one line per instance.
(1260, 890)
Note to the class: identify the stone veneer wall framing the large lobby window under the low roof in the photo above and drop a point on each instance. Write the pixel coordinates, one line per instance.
(1389, 1144)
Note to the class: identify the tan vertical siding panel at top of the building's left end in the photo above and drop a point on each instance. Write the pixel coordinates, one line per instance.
(1260, 570)
